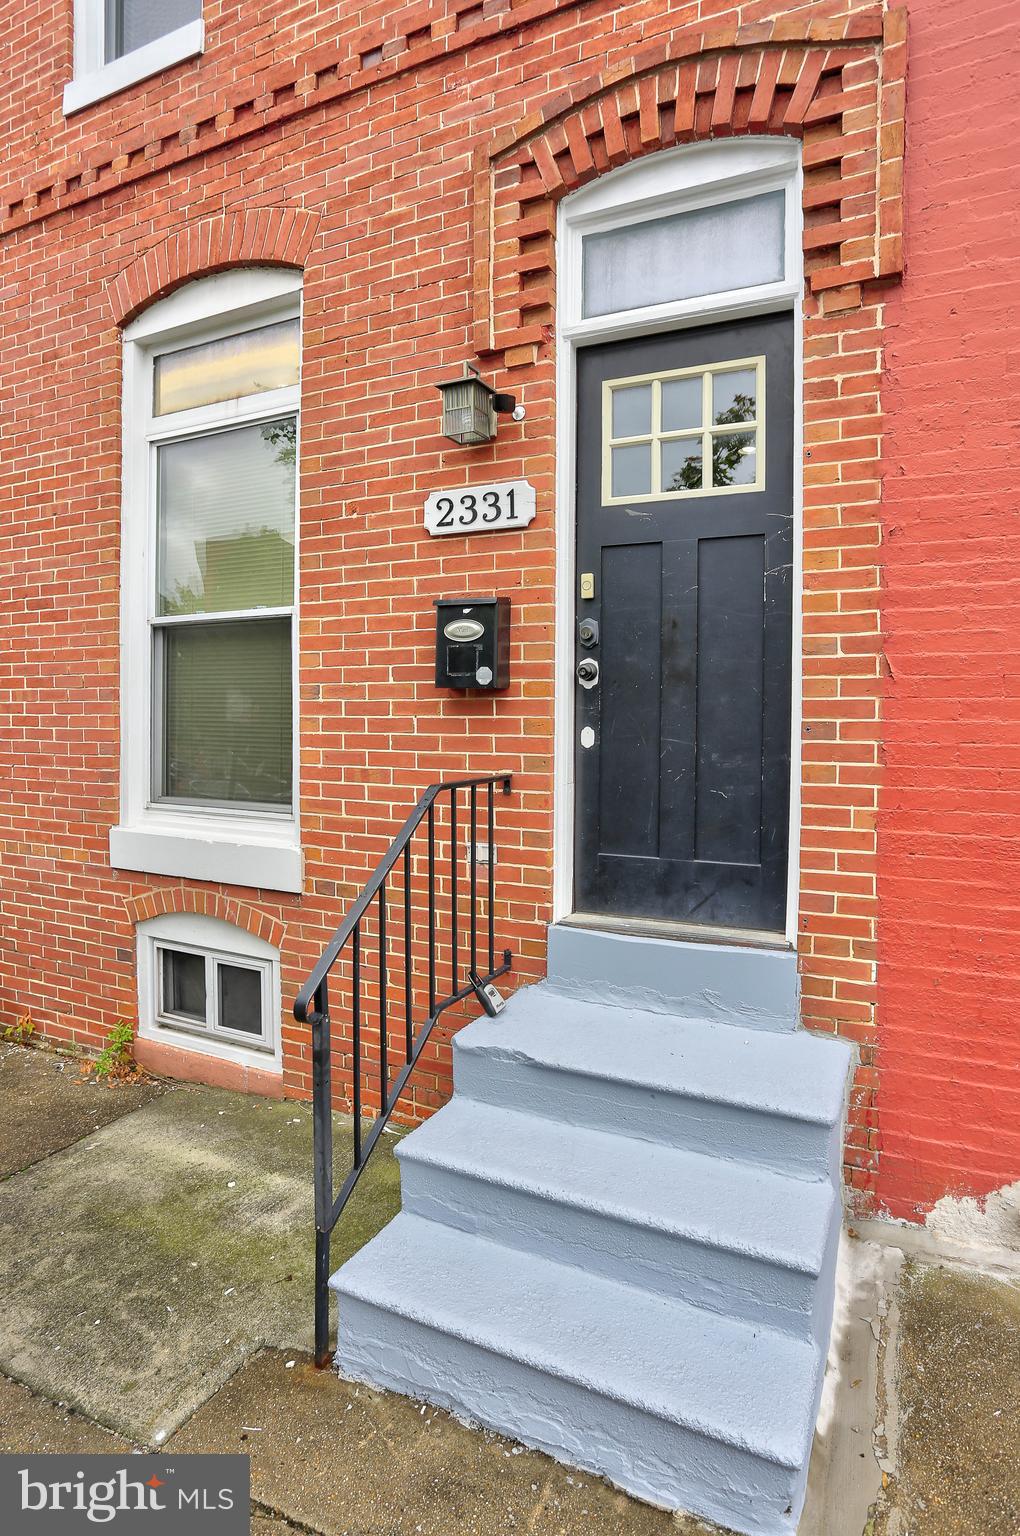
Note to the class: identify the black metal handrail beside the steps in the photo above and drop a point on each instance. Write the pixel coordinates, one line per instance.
(313, 1002)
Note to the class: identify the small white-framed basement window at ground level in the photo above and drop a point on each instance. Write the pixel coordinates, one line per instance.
(210, 987)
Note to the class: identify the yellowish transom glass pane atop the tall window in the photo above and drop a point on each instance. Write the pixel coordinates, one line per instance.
(250, 363)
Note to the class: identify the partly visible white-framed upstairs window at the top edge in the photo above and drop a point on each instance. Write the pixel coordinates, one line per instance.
(121, 42)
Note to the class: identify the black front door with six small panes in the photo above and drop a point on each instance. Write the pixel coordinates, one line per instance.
(684, 626)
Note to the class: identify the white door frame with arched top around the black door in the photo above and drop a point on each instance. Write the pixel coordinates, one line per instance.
(663, 184)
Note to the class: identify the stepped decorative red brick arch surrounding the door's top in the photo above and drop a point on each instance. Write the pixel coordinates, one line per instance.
(836, 84)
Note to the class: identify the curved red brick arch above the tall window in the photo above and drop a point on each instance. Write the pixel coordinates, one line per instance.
(277, 236)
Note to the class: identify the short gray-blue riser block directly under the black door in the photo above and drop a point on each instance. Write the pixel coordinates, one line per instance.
(755, 988)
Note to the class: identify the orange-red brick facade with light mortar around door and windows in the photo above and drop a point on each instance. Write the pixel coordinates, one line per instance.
(411, 137)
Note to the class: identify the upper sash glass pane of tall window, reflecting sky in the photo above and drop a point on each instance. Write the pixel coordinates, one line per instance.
(227, 509)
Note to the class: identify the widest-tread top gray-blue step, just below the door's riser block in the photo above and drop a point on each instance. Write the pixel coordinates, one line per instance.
(746, 1094)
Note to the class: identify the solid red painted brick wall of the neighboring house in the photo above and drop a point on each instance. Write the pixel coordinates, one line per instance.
(950, 813)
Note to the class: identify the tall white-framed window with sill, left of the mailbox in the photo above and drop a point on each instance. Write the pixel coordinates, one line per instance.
(210, 514)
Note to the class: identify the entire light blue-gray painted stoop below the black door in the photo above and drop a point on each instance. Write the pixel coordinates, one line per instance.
(618, 1240)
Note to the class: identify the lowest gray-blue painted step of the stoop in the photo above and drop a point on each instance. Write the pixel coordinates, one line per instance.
(677, 1405)
